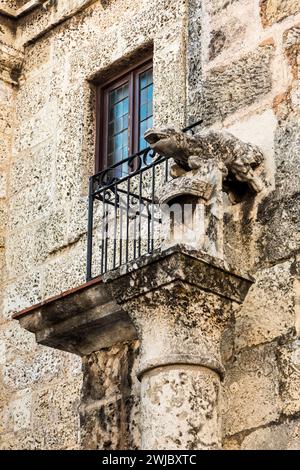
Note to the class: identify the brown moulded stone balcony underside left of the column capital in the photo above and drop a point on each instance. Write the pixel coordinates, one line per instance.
(81, 320)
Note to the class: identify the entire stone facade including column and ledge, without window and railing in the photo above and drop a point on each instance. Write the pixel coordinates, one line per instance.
(103, 370)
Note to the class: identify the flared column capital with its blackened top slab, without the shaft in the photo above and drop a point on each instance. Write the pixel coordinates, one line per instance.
(180, 301)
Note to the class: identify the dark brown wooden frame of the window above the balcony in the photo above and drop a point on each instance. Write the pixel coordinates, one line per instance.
(132, 76)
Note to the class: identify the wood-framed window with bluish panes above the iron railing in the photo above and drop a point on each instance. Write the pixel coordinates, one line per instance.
(126, 112)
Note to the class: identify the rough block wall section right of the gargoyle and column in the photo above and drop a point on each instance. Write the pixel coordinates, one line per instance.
(250, 86)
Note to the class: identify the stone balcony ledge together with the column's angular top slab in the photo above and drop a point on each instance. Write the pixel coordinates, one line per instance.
(91, 317)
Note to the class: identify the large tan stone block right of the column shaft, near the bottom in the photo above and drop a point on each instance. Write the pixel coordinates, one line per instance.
(251, 390)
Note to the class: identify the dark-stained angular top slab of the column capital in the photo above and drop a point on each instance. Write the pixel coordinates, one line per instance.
(178, 263)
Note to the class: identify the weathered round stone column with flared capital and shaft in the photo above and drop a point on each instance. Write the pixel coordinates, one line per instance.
(180, 304)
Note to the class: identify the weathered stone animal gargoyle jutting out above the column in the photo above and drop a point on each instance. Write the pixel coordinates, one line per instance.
(234, 157)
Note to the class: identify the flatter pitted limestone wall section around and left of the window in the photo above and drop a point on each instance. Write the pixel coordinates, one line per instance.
(53, 155)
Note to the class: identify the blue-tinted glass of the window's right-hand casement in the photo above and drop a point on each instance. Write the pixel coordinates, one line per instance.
(146, 105)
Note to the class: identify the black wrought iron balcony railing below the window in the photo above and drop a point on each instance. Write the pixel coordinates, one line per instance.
(124, 215)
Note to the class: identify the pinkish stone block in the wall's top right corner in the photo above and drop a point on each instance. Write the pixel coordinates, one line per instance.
(272, 11)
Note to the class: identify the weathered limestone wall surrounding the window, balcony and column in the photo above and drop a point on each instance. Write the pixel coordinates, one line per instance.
(233, 63)
